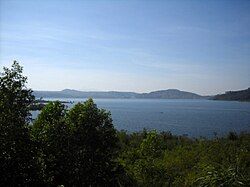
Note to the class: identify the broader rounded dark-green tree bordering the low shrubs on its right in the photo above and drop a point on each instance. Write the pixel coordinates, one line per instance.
(94, 144)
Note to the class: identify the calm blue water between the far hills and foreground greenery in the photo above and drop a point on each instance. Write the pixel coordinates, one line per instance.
(192, 117)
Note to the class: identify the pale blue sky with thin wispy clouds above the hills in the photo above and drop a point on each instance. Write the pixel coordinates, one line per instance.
(142, 46)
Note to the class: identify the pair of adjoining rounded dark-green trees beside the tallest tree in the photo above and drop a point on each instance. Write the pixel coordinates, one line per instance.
(77, 146)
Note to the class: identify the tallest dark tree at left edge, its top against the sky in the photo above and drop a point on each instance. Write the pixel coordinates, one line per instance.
(17, 163)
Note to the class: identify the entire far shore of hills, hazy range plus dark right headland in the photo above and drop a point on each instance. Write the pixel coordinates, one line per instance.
(241, 95)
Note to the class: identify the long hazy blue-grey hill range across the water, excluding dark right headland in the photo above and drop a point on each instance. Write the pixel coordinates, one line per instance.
(162, 94)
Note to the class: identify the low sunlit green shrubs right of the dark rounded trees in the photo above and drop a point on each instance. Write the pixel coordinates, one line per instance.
(186, 162)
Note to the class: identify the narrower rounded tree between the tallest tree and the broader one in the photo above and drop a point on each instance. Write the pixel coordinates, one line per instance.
(51, 133)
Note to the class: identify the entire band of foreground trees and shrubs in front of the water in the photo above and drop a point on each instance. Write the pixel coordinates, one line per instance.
(80, 147)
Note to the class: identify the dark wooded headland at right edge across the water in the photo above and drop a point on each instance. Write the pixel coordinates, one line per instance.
(241, 95)
